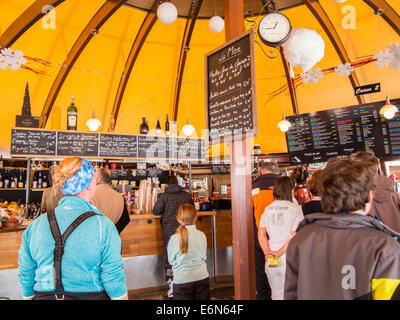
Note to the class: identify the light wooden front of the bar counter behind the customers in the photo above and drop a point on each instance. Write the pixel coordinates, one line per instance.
(142, 236)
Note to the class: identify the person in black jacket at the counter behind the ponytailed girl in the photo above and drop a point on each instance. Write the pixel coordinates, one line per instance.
(167, 206)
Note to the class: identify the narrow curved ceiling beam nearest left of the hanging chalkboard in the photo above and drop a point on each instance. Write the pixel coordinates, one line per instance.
(190, 23)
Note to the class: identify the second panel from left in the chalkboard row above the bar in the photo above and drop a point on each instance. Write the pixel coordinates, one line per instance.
(73, 143)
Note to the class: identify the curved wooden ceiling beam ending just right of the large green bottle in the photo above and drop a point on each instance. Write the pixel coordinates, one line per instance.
(140, 39)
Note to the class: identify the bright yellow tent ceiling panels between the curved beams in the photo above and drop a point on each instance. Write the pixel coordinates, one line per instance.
(96, 74)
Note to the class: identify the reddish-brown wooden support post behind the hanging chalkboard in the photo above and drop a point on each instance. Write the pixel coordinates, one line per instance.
(242, 217)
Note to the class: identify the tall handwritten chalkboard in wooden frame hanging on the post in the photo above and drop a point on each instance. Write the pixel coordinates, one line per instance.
(230, 89)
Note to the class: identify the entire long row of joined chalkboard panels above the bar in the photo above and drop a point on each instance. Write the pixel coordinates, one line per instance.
(35, 142)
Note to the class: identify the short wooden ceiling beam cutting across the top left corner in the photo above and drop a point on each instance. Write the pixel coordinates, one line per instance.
(26, 20)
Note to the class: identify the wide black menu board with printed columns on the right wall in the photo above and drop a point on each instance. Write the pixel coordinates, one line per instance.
(317, 136)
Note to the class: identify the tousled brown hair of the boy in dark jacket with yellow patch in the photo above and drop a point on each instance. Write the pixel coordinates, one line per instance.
(345, 186)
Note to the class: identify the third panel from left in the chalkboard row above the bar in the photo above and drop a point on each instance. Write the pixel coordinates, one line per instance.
(118, 146)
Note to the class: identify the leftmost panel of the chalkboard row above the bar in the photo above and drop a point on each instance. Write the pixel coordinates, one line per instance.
(32, 142)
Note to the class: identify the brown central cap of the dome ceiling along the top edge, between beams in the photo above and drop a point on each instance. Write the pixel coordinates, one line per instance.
(210, 8)
